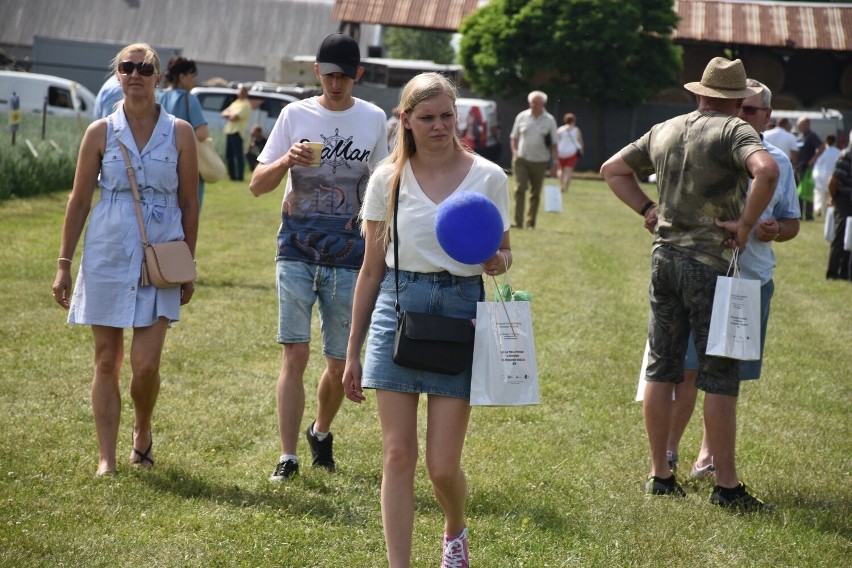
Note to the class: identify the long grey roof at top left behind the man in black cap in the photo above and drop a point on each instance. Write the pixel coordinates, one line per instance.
(231, 32)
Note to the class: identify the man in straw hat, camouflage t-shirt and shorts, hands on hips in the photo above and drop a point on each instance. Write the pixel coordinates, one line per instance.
(703, 161)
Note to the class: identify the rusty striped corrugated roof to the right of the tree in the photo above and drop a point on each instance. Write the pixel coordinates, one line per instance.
(780, 24)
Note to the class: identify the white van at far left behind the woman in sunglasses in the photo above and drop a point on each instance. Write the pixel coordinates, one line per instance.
(64, 97)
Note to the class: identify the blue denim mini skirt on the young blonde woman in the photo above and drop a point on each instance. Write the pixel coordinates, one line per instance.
(438, 293)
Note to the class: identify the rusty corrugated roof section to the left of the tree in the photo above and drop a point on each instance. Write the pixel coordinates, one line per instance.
(435, 14)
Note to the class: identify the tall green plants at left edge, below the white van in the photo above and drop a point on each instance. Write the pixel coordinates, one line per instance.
(45, 167)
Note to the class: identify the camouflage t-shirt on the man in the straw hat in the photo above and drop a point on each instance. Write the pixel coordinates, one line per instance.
(700, 162)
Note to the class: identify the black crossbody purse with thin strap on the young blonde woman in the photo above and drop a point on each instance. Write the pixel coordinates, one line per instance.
(440, 344)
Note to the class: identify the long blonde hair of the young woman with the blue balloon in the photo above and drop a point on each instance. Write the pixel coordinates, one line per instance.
(420, 88)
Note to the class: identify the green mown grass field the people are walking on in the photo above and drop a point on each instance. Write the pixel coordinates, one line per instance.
(559, 484)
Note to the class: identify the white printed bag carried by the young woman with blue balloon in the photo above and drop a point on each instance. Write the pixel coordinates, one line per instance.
(504, 365)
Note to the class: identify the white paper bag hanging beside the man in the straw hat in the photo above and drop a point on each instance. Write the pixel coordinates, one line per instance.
(735, 320)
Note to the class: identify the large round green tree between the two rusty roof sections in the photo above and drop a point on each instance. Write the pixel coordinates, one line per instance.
(610, 52)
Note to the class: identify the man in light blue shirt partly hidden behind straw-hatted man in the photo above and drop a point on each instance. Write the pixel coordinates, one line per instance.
(779, 222)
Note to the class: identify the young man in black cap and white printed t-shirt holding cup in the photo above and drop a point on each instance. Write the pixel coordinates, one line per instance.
(320, 247)
